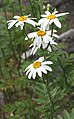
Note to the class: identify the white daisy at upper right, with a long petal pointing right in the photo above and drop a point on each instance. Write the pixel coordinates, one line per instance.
(49, 18)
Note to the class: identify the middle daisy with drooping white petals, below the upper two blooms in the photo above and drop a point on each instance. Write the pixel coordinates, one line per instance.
(42, 38)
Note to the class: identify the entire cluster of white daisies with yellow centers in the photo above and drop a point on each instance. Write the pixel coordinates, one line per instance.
(43, 37)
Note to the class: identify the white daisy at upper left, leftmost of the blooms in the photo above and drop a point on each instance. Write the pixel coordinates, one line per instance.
(20, 20)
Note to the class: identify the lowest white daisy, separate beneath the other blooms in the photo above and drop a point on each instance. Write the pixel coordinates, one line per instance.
(39, 67)
